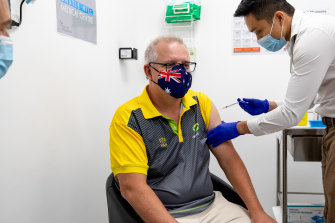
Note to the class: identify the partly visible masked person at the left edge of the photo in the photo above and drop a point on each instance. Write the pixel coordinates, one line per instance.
(6, 43)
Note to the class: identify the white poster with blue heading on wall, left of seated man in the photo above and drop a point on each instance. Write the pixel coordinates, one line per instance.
(77, 18)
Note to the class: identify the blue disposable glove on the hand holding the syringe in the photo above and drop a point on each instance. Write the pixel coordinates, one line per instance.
(254, 106)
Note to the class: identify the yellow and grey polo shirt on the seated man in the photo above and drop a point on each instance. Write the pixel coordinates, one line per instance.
(174, 157)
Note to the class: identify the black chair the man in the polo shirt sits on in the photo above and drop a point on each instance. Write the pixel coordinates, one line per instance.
(120, 211)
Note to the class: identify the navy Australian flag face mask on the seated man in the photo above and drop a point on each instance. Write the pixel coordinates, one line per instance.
(175, 81)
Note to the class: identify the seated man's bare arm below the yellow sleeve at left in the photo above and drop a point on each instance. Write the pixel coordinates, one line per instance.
(147, 205)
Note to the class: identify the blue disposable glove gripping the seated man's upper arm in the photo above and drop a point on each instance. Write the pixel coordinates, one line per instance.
(222, 133)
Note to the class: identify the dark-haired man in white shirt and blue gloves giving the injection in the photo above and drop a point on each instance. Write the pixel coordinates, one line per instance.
(310, 40)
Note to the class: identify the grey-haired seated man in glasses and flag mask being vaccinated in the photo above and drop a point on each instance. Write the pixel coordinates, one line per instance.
(159, 153)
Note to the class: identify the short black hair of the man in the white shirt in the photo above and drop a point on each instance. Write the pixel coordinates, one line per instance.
(263, 9)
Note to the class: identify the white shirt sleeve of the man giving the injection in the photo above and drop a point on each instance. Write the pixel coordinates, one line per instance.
(312, 57)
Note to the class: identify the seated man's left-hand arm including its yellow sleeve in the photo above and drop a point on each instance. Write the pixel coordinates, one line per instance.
(129, 163)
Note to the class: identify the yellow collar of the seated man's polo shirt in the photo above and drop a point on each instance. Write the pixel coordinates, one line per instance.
(150, 111)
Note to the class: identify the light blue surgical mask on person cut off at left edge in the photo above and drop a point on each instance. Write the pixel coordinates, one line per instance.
(6, 54)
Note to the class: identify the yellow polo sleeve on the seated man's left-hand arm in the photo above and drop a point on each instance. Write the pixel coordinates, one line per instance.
(127, 150)
